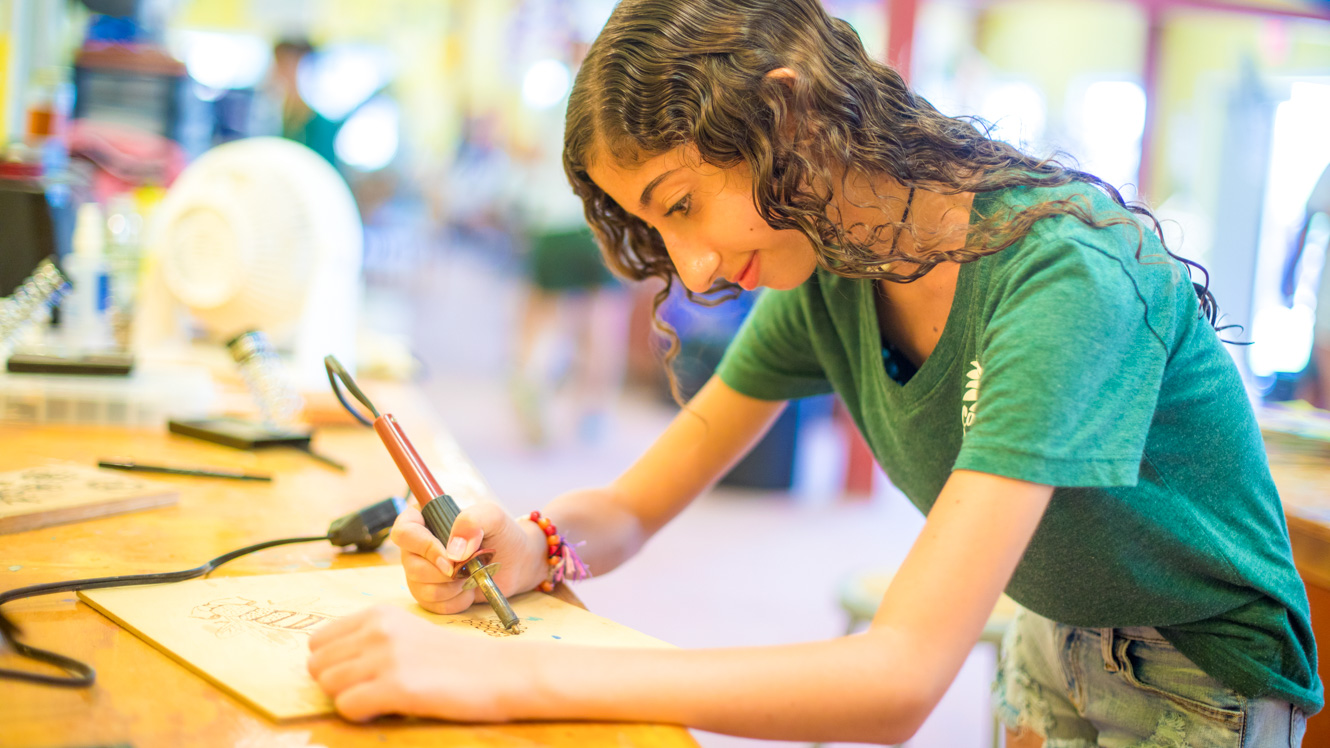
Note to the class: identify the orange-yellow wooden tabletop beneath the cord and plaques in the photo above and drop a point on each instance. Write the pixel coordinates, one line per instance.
(146, 699)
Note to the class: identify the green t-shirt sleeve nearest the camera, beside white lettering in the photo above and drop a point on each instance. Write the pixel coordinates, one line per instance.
(1070, 369)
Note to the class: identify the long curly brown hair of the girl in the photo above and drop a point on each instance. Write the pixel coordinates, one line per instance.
(666, 74)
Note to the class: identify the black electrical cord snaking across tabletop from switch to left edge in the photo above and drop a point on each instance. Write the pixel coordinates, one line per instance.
(80, 674)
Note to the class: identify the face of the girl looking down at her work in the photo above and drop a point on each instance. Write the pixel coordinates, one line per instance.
(708, 222)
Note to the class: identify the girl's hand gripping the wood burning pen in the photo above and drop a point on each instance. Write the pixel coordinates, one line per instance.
(432, 566)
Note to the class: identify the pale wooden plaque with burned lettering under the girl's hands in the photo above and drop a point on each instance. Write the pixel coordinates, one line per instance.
(251, 636)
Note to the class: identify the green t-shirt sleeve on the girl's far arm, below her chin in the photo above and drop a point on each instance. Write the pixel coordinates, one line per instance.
(773, 357)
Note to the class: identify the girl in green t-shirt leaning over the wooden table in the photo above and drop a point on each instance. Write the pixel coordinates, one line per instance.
(1030, 365)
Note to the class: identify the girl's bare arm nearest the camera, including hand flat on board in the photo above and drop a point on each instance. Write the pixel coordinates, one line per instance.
(878, 686)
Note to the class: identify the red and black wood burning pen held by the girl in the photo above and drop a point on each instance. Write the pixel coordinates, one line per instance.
(438, 508)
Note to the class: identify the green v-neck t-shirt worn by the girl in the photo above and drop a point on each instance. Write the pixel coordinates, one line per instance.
(1071, 363)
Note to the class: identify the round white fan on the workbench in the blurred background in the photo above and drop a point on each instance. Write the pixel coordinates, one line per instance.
(259, 234)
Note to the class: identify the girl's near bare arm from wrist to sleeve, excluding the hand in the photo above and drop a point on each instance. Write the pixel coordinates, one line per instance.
(878, 686)
